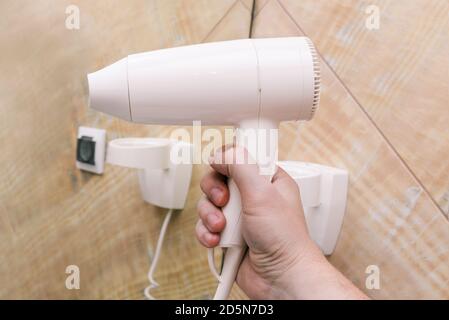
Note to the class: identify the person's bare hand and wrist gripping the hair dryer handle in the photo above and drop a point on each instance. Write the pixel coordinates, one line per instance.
(282, 261)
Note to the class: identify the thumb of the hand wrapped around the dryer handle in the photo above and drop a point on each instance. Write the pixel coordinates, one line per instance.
(235, 162)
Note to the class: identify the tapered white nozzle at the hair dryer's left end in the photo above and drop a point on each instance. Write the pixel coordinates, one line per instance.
(108, 90)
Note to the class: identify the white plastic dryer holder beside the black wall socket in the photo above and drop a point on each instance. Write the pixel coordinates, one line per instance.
(165, 167)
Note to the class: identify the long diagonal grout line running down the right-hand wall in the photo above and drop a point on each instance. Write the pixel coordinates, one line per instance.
(370, 119)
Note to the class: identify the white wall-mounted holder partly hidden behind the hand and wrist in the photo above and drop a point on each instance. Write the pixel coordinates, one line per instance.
(323, 196)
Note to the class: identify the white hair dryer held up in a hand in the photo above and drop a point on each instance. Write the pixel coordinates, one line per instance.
(252, 84)
